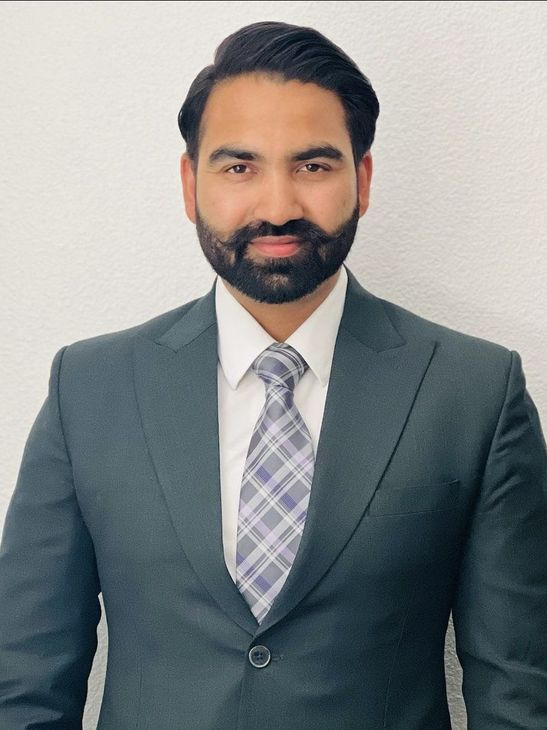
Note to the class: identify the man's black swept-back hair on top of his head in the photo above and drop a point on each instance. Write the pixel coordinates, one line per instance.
(289, 52)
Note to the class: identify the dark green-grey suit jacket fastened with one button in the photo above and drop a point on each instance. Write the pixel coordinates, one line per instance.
(428, 497)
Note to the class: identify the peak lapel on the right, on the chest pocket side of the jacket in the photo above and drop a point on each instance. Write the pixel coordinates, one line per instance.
(374, 380)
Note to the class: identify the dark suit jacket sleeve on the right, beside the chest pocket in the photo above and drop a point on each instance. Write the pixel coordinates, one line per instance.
(500, 611)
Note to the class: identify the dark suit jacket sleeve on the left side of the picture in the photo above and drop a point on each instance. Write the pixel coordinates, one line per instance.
(49, 607)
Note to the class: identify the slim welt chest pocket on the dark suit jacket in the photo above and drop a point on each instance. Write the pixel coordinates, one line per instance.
(415, 499)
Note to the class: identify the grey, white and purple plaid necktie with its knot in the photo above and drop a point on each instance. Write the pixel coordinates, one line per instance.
(276, 482)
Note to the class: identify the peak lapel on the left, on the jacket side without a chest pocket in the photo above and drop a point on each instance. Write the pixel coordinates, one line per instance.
(176, 387)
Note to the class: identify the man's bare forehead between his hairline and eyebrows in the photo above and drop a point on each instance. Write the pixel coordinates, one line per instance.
(270, 112)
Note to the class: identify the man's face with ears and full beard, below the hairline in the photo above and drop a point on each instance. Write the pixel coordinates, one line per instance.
(275, 160)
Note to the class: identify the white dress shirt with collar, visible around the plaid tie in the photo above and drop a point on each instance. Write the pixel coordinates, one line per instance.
(241, 393)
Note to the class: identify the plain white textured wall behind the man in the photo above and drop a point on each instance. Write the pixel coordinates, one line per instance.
(94, 236)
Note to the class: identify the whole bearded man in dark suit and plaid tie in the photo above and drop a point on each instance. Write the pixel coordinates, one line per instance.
(284, 487)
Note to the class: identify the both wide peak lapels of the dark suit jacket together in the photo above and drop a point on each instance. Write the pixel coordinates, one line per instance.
(374, 379)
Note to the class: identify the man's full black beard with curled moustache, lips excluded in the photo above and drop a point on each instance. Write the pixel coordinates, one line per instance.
(277, 280)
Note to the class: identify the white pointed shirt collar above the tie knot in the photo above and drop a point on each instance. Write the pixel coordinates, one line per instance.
(241, 338)
